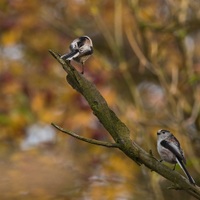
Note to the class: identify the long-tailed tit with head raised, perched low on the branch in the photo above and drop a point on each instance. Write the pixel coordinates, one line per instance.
(170, 151)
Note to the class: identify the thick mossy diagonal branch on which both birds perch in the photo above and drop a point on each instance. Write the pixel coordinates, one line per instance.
(118, 130)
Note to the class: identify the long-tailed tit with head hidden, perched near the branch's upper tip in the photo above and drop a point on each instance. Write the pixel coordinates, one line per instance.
(81, 49)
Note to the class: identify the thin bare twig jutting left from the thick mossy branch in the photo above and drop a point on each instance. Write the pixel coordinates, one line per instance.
(88, 140)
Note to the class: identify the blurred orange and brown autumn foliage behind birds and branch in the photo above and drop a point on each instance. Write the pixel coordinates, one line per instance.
(146, 63)
